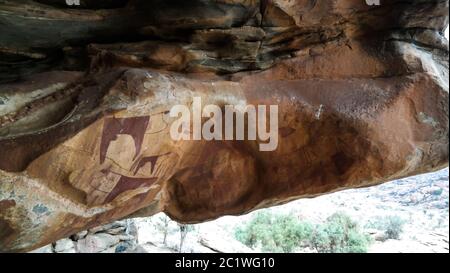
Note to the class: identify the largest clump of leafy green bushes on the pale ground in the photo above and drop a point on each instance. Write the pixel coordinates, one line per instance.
(285, 233)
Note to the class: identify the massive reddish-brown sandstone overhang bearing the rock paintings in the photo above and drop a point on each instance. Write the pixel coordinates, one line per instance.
(85, 96)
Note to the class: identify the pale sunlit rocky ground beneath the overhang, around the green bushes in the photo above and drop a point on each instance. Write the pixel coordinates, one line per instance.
(422, 202)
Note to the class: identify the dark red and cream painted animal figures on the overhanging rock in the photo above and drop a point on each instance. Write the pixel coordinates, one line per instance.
(116, 176)
